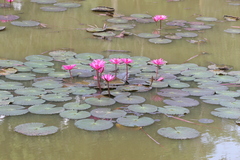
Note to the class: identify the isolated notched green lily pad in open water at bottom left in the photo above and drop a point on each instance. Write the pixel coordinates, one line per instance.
(35, 129)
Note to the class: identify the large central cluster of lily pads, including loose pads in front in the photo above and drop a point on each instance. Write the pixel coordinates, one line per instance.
(81, 101)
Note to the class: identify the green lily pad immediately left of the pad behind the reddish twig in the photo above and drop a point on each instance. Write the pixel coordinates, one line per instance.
(144, 108)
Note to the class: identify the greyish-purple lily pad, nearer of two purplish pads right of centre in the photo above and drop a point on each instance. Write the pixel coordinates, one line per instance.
(182, 102)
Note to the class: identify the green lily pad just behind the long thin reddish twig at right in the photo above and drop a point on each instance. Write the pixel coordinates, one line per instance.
(173, 110)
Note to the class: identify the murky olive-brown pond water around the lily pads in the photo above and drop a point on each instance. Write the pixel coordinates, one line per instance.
(66, 30)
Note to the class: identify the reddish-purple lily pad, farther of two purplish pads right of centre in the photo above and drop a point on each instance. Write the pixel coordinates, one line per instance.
(172, 93)
